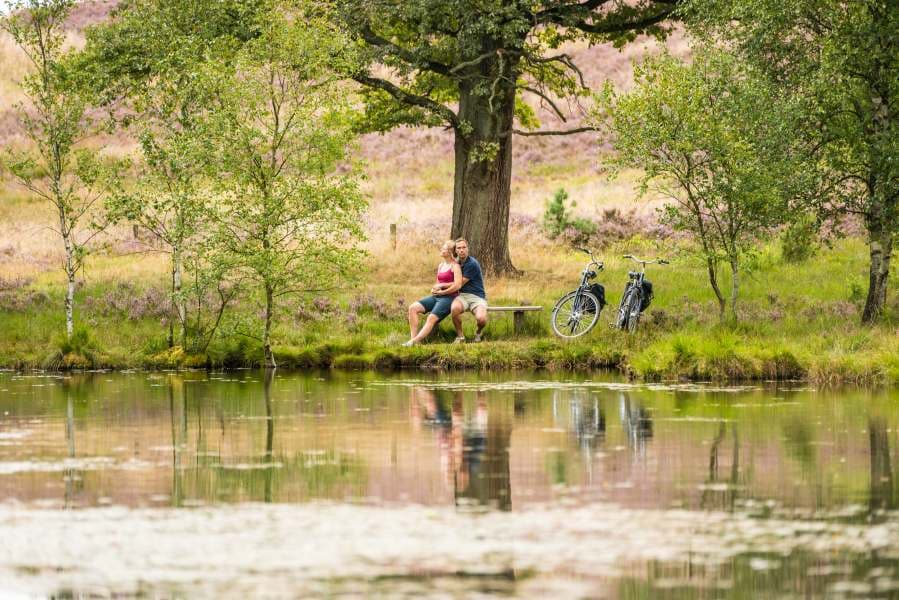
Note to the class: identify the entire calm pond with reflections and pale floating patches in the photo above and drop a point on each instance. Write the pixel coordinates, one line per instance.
(453, 485)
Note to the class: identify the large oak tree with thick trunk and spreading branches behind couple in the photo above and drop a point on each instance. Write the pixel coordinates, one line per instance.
(465, 65)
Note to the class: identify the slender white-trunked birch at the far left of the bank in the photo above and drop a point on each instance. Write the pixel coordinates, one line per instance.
(55, 119)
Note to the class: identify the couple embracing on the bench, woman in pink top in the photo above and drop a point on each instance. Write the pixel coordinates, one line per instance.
(459, 288)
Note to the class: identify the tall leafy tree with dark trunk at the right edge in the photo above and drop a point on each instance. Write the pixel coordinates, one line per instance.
(839, 61)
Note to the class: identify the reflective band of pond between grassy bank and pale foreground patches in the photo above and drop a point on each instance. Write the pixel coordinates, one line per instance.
(195, 438)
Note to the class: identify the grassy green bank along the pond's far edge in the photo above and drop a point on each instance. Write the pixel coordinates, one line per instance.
(797, 321)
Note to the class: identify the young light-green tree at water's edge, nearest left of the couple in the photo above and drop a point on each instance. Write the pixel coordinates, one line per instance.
(288, 212)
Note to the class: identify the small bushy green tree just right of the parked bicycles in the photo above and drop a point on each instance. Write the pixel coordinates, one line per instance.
(715, 138)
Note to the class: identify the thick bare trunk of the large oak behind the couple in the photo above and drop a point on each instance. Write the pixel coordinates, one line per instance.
(483, 176)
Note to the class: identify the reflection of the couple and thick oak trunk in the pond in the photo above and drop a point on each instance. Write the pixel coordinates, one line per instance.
(473, 441)
